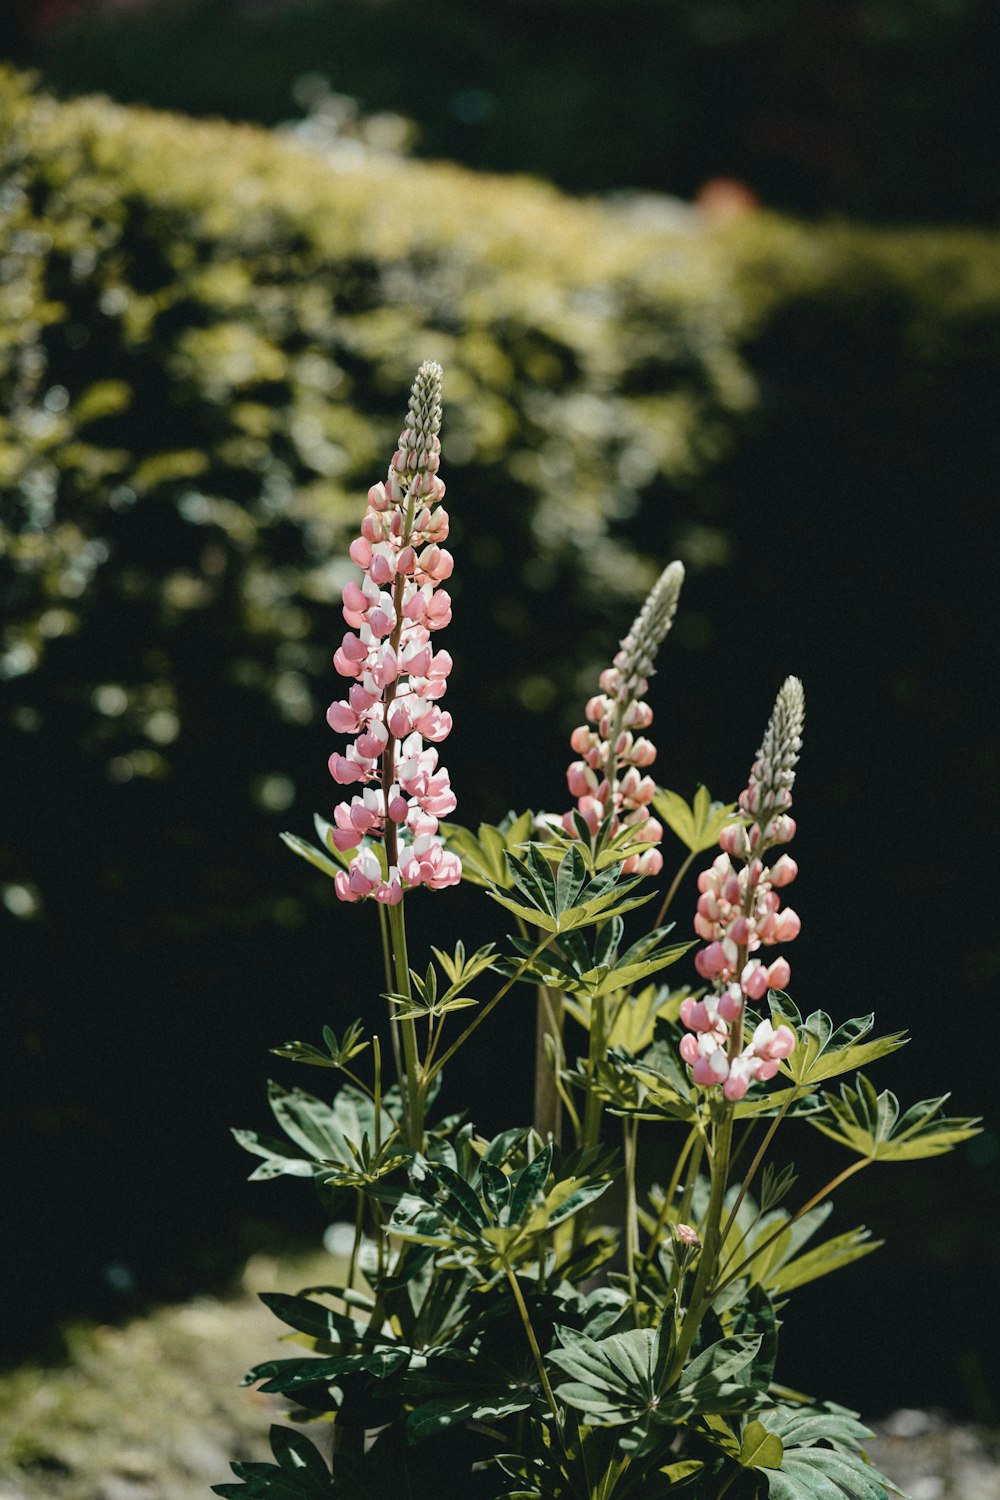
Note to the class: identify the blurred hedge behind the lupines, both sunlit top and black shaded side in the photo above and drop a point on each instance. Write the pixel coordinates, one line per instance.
(206, 343)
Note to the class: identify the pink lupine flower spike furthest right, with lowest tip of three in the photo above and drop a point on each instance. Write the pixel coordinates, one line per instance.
(740, 913)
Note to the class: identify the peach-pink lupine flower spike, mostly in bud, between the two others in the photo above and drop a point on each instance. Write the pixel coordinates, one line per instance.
(614, 752)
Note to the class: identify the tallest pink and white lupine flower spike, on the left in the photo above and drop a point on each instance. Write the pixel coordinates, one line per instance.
(397, 676)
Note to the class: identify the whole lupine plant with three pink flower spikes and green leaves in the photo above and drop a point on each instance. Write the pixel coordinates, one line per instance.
(587, 1306)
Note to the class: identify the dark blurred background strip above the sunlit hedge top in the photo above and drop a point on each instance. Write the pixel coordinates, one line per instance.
(882, 109)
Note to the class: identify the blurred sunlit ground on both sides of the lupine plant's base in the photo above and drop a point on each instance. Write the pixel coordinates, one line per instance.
(155, 1411)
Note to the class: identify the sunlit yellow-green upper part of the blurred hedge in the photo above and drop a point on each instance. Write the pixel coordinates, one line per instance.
(206, 335)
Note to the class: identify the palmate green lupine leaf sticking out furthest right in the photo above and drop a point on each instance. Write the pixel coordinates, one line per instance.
(870, 1124)
